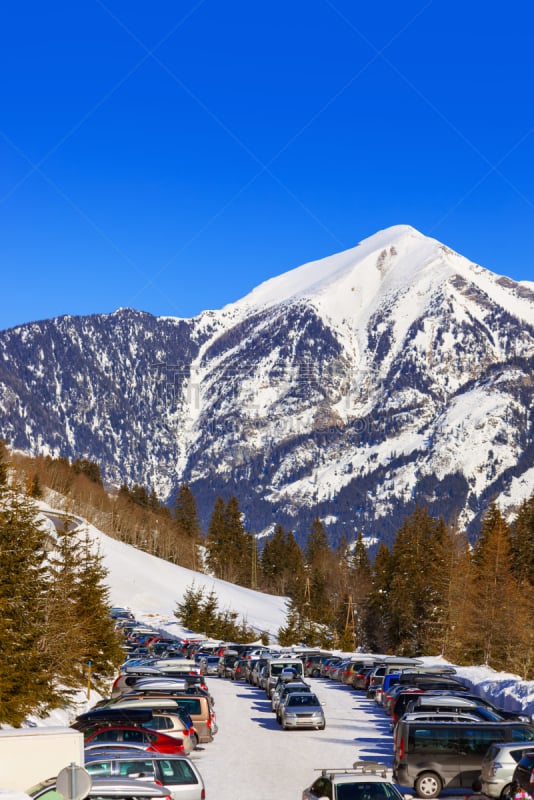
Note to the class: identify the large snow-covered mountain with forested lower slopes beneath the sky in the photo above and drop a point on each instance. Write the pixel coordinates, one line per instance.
(350, 388)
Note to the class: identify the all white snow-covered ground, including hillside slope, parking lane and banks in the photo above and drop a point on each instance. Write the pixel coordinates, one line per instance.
(251, 753)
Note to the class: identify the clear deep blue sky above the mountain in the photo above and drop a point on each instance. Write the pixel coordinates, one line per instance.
(169, 156)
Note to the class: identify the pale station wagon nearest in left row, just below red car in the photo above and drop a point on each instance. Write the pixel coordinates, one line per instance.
(178, 774)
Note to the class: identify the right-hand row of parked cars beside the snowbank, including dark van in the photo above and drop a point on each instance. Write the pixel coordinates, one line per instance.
(444, 736)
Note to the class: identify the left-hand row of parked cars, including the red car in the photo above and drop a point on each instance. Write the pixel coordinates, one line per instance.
(139, 740)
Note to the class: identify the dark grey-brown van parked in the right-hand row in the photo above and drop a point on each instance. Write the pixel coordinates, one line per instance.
(431, 756)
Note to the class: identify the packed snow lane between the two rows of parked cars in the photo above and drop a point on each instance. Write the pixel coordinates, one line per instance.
(252, 757)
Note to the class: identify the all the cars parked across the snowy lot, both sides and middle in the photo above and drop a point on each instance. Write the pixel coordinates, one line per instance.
(160, 710)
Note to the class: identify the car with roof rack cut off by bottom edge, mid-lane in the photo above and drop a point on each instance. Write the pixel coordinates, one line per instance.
(365, 780)
